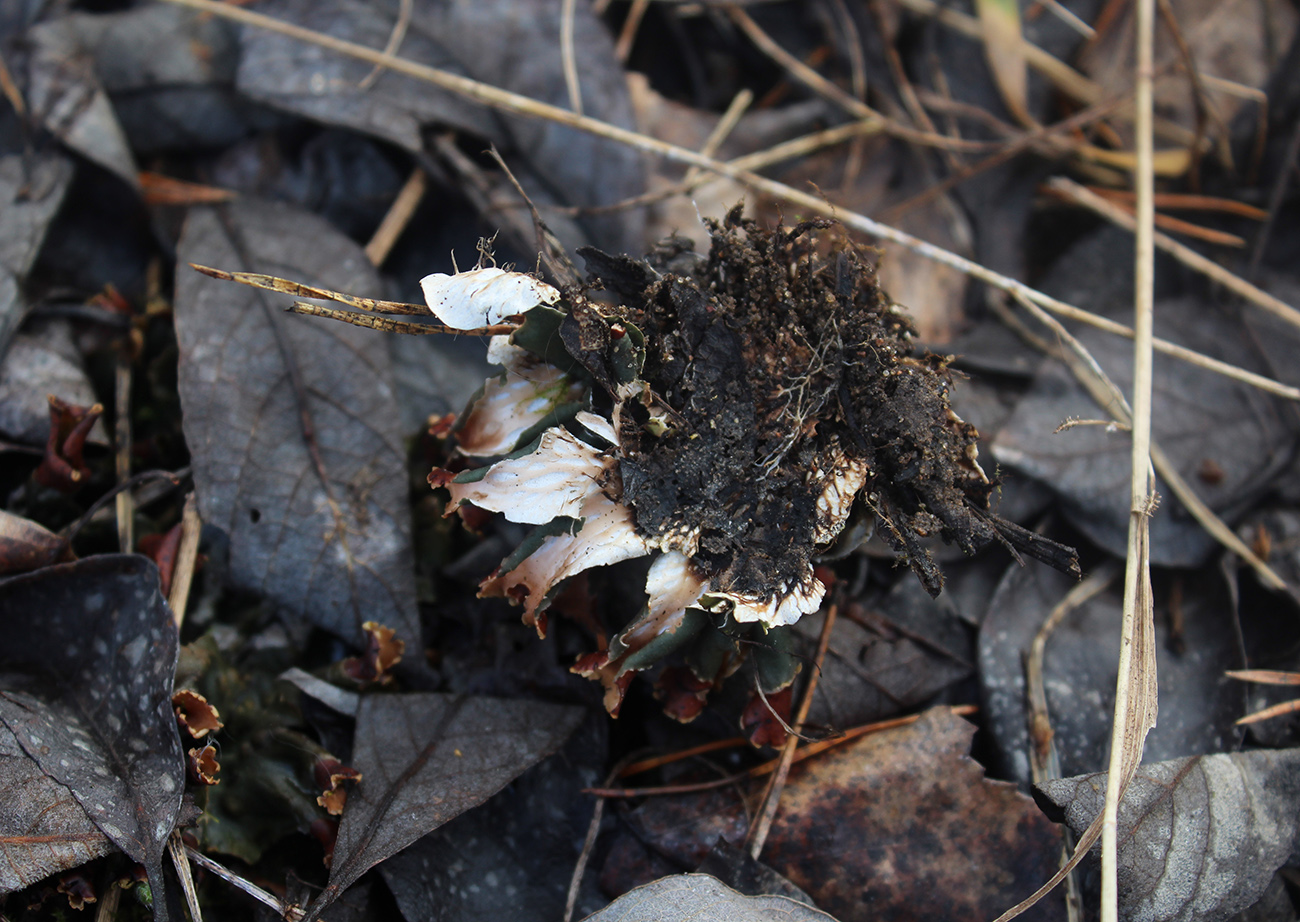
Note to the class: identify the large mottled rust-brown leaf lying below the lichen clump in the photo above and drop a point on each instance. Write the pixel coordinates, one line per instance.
(899, 825)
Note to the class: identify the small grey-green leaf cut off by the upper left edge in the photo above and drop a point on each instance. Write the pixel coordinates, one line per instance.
(32, 189)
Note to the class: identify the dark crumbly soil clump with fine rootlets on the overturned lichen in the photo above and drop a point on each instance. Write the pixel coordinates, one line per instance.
(779, 383)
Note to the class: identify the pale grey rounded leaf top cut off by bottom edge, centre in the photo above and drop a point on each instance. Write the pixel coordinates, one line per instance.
(703, 899)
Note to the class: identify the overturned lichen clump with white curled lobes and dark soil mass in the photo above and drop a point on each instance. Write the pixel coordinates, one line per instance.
(730, 414)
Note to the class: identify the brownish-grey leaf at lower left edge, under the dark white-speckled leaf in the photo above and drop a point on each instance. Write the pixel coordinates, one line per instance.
(42, 829)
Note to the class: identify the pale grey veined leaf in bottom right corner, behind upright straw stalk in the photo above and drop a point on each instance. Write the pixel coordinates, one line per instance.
(1201, 838)
